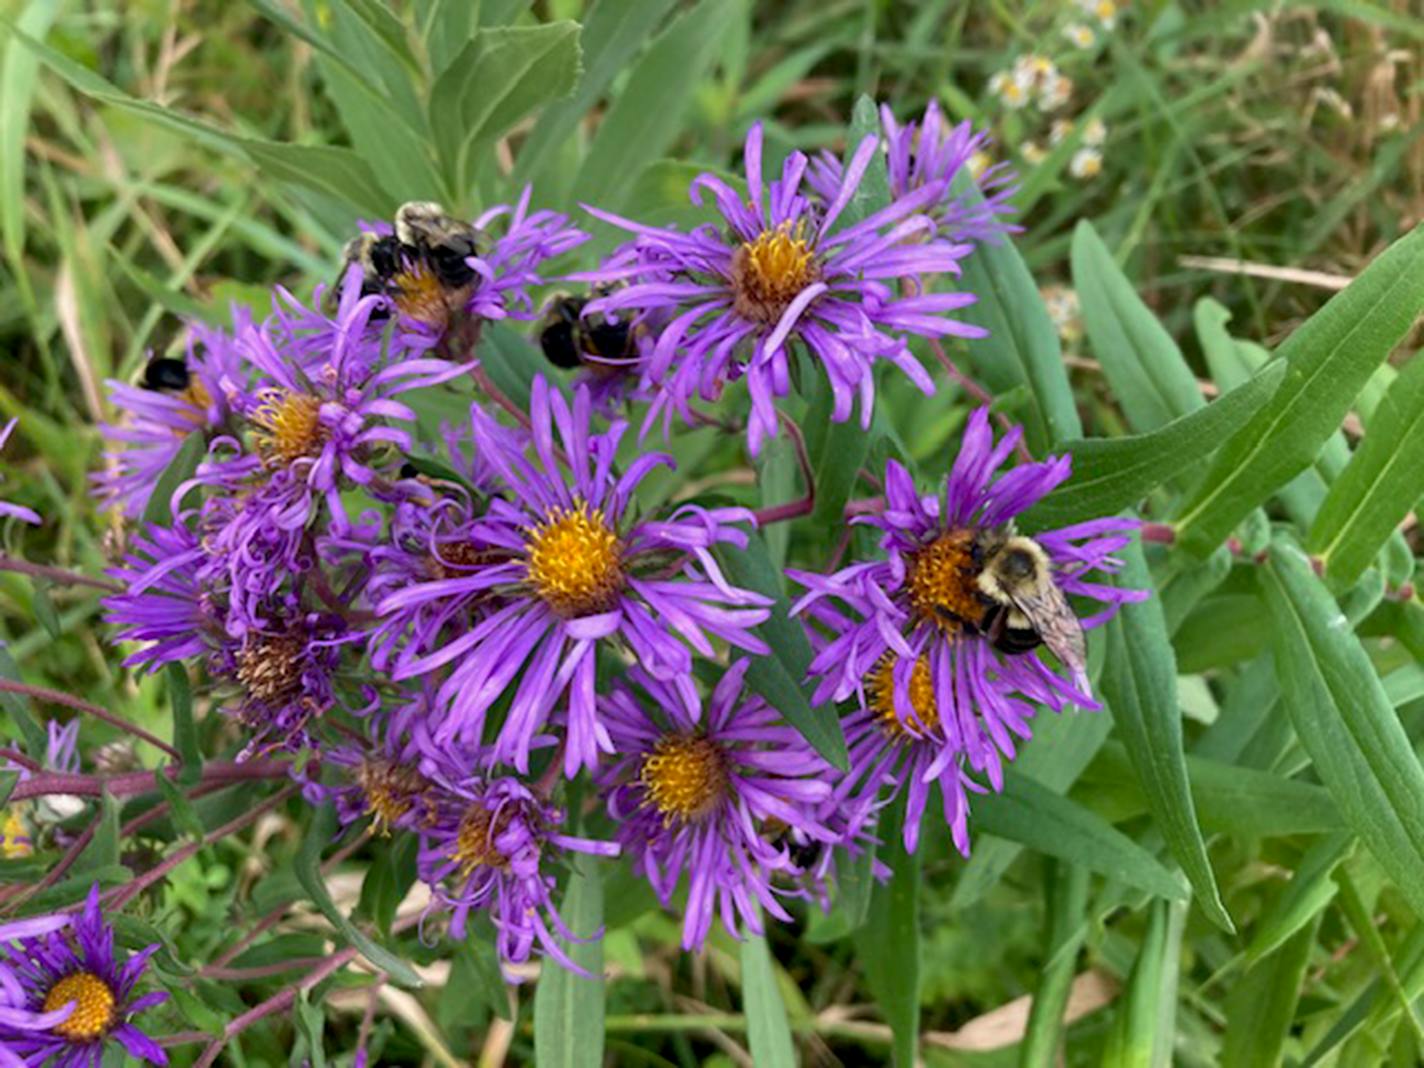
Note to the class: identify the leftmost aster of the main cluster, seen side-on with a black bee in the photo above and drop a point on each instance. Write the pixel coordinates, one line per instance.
(176, 398)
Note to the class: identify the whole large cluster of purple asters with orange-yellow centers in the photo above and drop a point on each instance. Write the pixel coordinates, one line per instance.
(454, 632)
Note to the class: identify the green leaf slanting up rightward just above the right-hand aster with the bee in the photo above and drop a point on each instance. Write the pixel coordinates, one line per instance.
(1111, 475)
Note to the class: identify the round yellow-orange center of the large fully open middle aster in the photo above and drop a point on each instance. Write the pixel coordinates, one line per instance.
(576, 562)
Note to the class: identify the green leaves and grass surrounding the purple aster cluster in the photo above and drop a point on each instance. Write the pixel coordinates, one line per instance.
(1237, 875)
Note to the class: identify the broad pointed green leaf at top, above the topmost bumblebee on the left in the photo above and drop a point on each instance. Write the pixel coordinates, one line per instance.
(501, 76)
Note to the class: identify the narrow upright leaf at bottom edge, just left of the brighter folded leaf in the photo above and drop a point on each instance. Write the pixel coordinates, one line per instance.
(1067, 891)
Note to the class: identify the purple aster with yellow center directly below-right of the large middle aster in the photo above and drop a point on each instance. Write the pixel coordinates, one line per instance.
(694, 795)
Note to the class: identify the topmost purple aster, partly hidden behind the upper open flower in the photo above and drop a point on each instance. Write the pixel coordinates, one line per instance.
(932, 153)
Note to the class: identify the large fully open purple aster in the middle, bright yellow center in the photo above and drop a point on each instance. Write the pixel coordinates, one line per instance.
(567, 569)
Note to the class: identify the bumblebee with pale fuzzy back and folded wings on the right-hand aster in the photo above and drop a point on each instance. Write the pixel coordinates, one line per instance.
(1023, 606)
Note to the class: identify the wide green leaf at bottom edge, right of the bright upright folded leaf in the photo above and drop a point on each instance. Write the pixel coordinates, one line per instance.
(1262, 1005)
